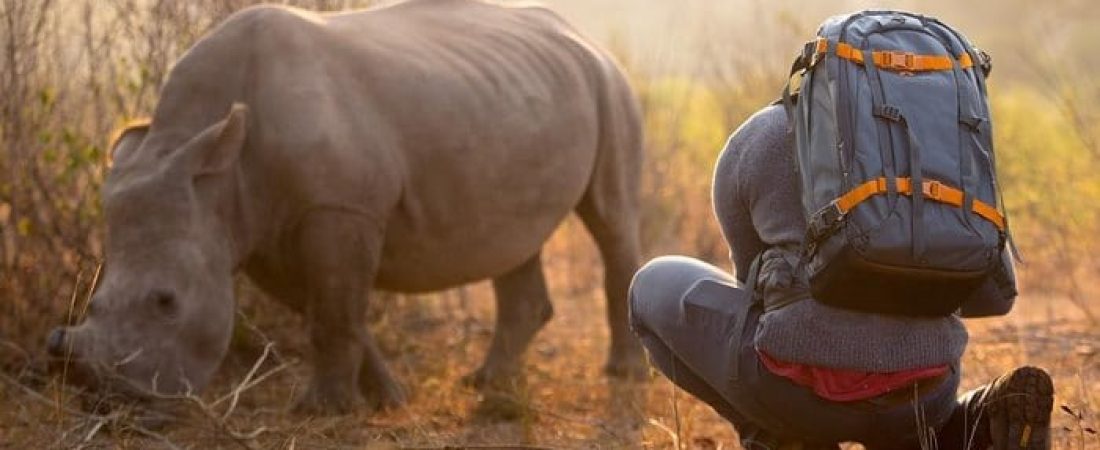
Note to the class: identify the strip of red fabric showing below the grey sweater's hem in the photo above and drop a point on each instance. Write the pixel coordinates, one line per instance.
(842, 386)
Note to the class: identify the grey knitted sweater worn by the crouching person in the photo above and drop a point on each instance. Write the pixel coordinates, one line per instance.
(757, 202)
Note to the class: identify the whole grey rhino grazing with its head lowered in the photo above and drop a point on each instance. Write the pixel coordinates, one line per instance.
(411, 148)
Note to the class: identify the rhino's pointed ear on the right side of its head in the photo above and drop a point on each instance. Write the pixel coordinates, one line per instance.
(218, 147)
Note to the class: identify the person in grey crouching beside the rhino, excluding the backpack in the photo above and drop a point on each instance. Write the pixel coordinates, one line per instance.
(791, 372)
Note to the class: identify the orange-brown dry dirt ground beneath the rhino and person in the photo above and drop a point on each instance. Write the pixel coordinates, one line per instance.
(433, 342)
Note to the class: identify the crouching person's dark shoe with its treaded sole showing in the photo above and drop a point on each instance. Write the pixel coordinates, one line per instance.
(1018, 409)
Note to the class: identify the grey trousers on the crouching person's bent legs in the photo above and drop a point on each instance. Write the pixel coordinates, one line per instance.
(698, 327)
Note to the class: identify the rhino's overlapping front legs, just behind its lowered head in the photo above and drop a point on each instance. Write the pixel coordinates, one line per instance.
(339, 257)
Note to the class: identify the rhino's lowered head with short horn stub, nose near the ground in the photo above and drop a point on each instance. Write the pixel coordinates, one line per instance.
(161, 320)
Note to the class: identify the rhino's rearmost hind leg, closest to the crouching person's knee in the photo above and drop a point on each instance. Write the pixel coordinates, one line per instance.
(615, 232)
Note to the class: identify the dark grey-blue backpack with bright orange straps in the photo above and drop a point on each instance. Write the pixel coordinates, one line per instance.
(897, 167)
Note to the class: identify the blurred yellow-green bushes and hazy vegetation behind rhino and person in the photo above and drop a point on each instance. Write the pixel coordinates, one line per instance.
(72, 72)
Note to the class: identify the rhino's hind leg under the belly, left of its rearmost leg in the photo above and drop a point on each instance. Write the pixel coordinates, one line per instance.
(523, 308)
